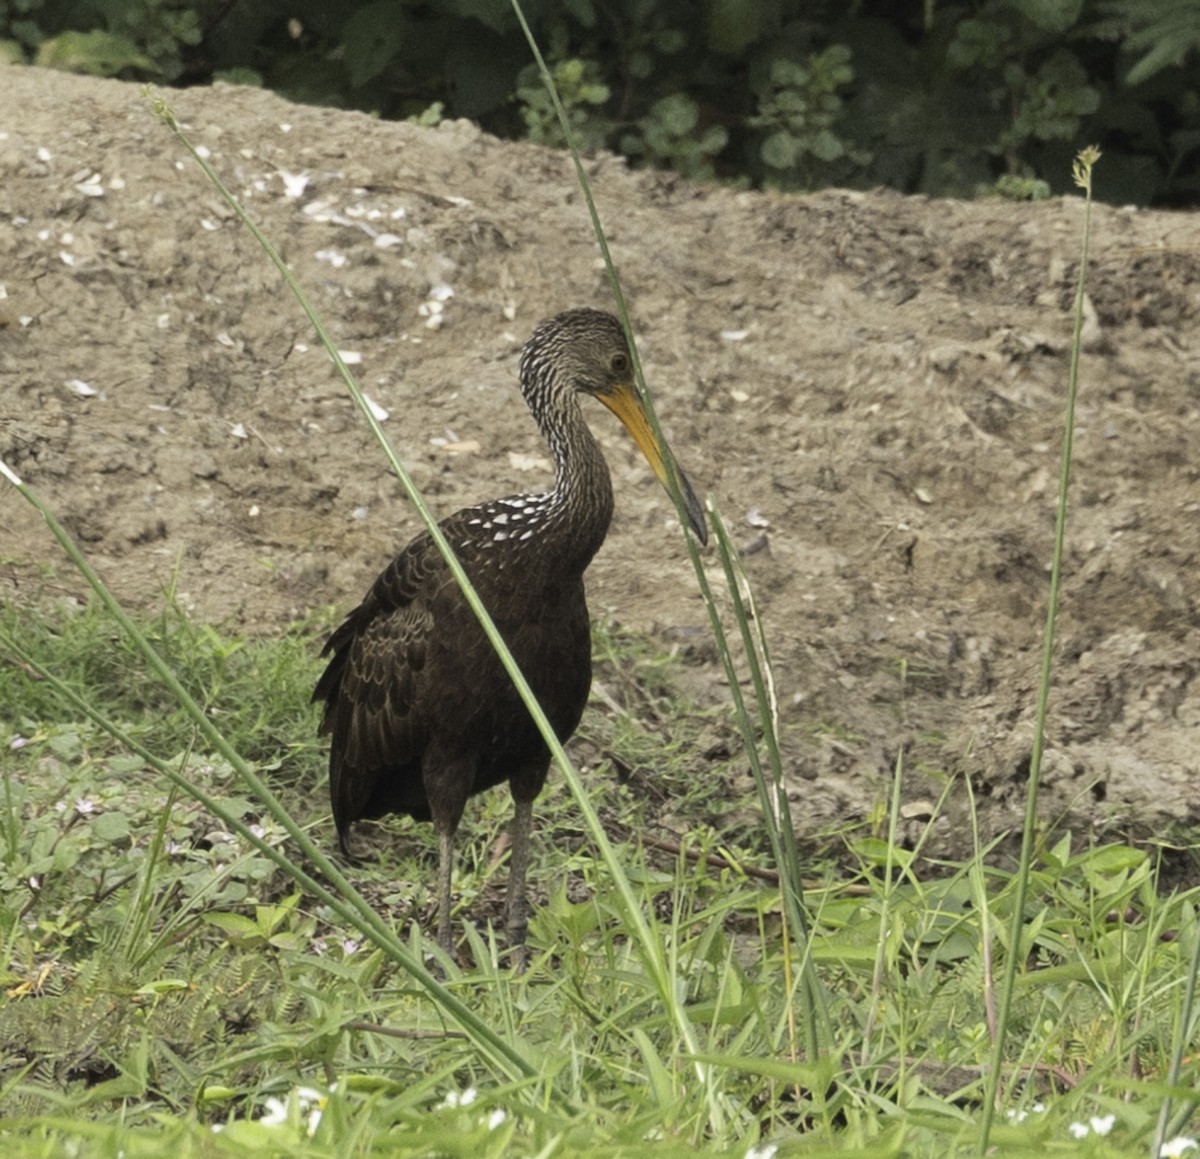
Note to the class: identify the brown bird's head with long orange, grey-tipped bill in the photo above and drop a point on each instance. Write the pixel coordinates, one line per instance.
(585, 352)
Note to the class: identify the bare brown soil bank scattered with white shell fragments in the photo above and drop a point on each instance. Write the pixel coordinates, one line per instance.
(873, 387)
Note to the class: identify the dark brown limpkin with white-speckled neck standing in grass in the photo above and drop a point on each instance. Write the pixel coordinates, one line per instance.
(421, 711)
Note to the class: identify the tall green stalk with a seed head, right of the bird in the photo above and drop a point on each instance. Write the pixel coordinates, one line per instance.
(1083, 176)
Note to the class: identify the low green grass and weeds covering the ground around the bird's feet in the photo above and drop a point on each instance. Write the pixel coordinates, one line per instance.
(161, 977)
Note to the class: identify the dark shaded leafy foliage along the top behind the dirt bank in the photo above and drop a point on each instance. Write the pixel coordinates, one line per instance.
(957, 100)
